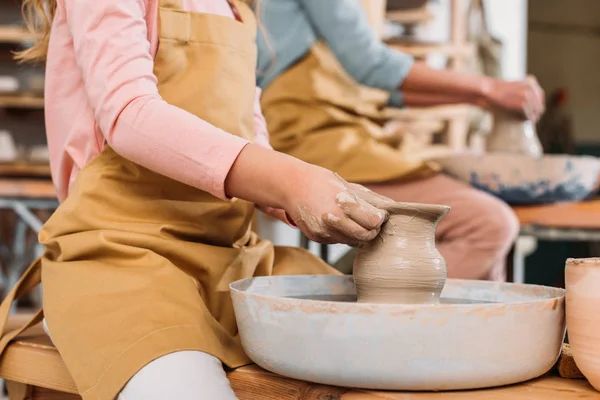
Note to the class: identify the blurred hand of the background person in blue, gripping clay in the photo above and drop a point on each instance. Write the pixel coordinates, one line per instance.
(525, 98)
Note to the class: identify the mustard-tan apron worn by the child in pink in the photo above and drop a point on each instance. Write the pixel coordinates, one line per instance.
(138, 265)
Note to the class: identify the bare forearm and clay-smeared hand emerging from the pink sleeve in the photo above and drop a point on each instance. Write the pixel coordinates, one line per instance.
(324, 206)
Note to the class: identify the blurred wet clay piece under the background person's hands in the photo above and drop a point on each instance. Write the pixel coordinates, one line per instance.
(511, 134)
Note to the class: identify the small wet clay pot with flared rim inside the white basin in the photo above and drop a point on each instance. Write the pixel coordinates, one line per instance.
(402, 265)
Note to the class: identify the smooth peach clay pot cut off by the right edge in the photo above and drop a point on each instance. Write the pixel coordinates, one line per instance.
(582, 278)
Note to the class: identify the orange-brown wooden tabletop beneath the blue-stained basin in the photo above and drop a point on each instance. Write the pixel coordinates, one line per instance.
(582, 215)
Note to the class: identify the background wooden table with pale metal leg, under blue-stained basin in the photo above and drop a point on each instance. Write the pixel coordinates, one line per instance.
(578, 222)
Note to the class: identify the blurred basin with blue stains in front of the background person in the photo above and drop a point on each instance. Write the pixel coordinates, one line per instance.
(522, 180)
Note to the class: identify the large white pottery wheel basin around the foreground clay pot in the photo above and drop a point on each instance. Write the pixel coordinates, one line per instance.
(310, 328)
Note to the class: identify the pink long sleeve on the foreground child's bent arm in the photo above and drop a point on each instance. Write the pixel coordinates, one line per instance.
(112, 51)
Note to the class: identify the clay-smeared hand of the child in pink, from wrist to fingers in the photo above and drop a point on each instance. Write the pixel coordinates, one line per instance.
(330, 210)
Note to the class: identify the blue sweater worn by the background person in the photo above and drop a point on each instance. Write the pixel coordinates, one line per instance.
(293, 26)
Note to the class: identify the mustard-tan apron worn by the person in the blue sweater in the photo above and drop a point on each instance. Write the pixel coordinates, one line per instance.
(316, 112)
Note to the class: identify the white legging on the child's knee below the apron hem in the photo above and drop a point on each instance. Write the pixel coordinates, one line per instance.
(183, 375)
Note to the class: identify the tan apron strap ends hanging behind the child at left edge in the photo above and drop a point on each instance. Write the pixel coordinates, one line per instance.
(29, 280)
